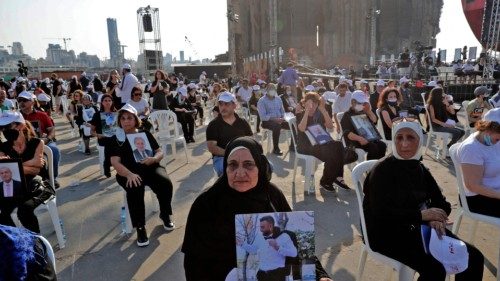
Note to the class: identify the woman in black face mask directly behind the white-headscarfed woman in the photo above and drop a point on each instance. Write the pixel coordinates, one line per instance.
(388, 104)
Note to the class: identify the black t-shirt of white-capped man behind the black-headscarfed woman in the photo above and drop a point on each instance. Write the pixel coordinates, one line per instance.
(221, 132)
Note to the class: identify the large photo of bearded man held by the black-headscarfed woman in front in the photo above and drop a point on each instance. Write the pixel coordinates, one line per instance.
(279, 243)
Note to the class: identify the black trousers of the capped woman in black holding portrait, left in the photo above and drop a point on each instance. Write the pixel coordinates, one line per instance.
(156, 178)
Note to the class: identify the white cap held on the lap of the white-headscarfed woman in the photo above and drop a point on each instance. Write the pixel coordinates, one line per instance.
(450, 252)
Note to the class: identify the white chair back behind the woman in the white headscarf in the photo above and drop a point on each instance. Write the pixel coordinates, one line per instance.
(358, 175)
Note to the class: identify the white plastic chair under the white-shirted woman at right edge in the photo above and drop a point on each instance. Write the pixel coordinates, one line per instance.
(463, 208)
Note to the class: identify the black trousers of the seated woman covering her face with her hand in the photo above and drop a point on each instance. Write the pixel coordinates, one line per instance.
(332, 154)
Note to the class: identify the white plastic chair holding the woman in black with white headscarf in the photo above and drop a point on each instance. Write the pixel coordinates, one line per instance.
(405, 273)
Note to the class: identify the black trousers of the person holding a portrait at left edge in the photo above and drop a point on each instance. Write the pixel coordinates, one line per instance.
(25, 213)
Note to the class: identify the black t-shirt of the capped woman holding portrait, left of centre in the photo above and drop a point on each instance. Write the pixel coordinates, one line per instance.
(124, 151)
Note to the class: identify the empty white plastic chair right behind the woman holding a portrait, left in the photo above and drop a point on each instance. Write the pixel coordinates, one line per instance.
(167, 132)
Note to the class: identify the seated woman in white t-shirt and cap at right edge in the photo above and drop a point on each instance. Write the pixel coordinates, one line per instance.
(479, 156)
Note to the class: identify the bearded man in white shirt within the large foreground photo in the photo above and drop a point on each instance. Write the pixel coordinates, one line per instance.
(272, 248)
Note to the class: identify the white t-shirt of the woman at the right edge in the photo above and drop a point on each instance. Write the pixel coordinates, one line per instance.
(471, 151)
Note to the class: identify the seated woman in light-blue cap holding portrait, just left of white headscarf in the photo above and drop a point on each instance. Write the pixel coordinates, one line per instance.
(361, 105)
